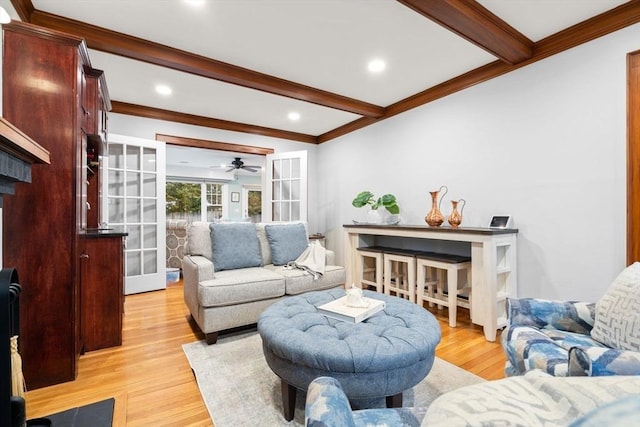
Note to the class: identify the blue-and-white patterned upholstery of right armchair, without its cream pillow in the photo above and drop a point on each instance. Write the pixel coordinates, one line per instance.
(555, 337)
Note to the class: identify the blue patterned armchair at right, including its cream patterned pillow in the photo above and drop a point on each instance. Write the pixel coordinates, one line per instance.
(577, 338)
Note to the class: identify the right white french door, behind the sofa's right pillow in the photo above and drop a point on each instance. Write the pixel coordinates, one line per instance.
(285, 185)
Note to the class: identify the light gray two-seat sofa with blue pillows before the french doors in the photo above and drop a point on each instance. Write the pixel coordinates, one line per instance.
(230, 278)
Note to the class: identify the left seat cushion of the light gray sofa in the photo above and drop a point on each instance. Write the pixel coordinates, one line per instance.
(240, 286)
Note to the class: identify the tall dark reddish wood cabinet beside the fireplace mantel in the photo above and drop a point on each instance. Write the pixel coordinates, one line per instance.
(49, 92)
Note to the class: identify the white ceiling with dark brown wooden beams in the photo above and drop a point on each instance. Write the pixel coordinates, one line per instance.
(243, 65)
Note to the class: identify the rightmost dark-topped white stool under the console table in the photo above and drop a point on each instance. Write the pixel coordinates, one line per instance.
(431, 280)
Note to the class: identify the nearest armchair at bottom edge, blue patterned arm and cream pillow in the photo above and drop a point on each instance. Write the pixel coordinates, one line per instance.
(534, 399)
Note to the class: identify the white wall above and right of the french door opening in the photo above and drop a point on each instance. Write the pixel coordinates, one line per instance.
(147, 128)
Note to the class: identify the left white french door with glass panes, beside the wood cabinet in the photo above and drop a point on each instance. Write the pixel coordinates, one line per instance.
(135, 202)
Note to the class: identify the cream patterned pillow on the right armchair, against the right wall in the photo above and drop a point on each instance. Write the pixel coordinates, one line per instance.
(617, 322)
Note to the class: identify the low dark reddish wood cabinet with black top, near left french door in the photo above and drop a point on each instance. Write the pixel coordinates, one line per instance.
(102, 290)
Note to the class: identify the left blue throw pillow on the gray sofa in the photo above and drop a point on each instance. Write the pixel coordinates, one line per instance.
(235, 246)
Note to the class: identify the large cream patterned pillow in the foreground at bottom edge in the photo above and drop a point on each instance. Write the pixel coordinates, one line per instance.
(535, 399)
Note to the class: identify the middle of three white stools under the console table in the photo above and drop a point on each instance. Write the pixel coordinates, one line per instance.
(400, 273)
